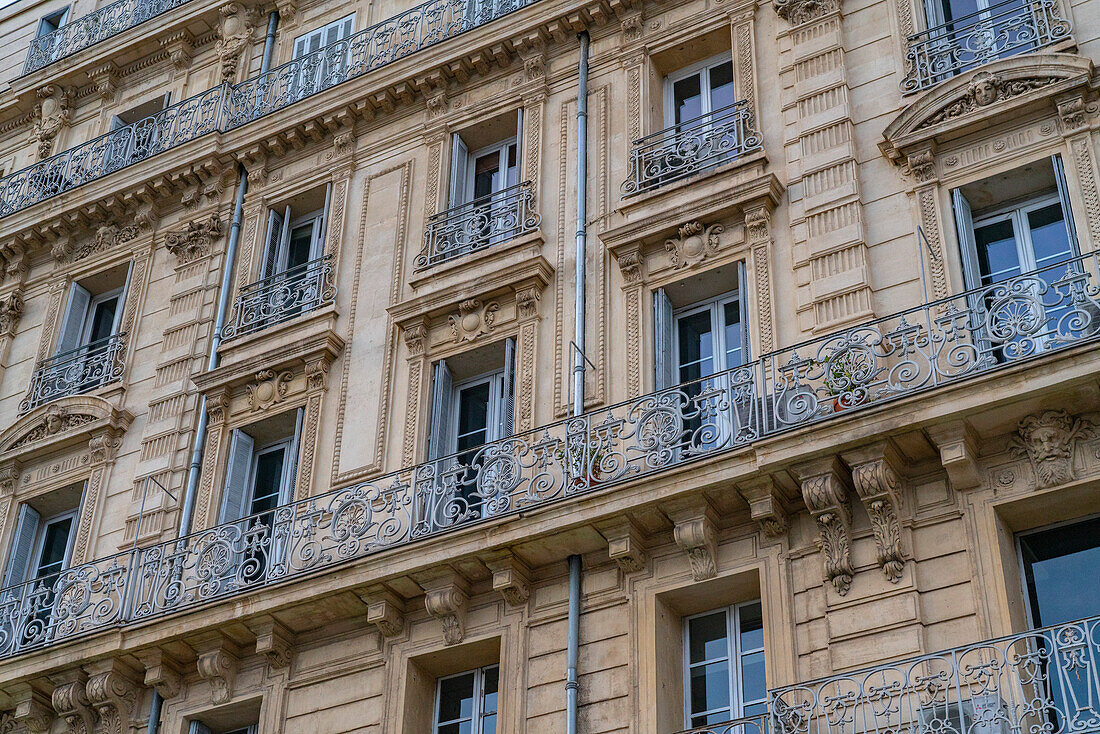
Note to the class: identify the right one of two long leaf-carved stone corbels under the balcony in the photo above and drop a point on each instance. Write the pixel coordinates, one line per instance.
(877, 479)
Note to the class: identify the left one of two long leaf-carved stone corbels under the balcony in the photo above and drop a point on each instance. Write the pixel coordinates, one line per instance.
(826, 490)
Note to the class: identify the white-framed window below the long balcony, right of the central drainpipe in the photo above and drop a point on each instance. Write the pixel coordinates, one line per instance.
(724, 667)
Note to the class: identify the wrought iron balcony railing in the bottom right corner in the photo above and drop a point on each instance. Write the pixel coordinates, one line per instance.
(1042, 682)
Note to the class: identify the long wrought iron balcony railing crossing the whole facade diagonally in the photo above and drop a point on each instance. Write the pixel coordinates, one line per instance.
(934, 345)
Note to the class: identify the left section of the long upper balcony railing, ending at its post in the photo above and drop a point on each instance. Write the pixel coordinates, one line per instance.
(171, 127)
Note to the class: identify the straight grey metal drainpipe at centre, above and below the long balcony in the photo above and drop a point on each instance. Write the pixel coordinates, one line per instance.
(582, 234)
